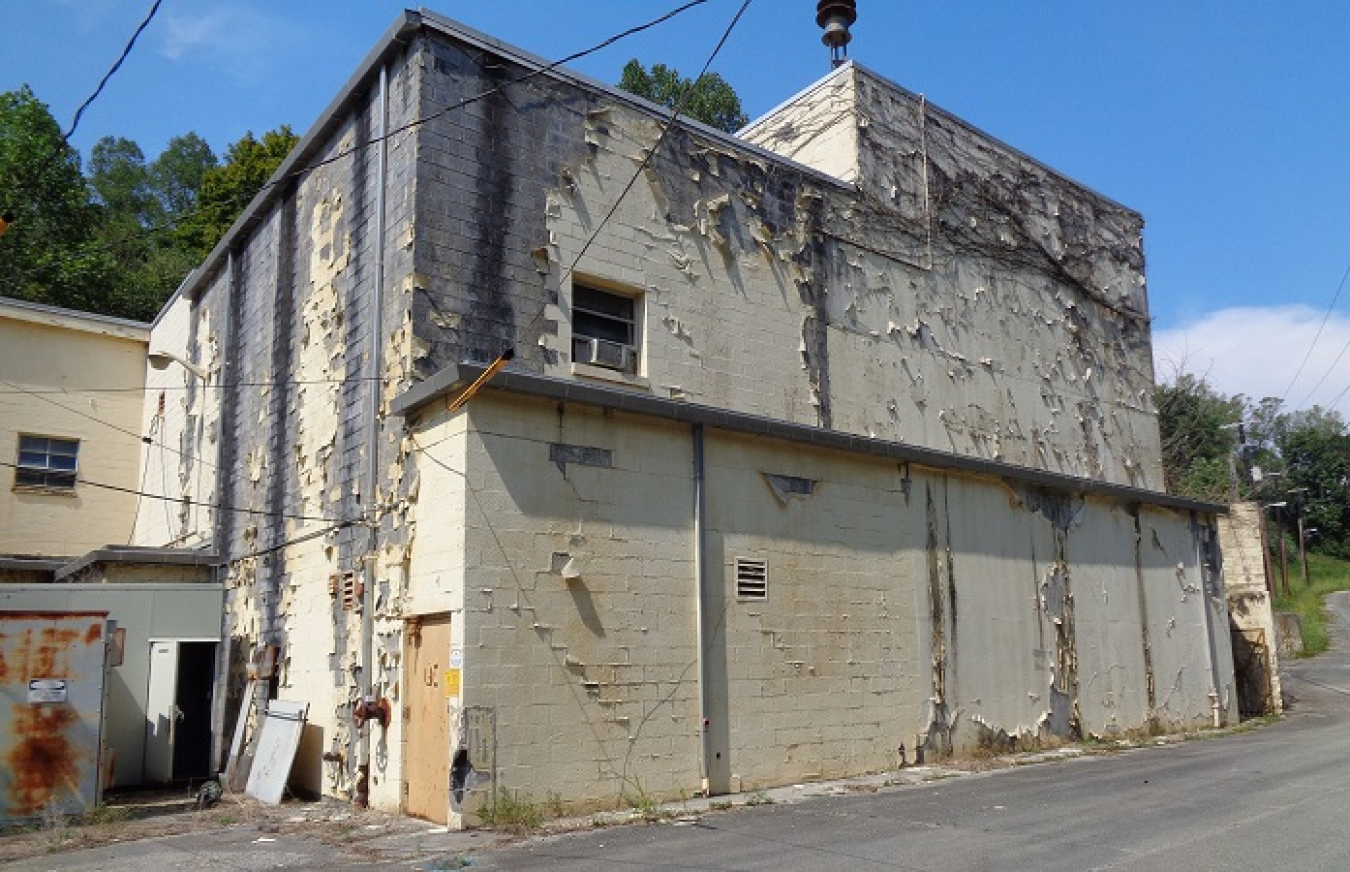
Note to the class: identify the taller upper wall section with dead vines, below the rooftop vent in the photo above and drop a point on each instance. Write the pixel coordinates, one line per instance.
(981, 303)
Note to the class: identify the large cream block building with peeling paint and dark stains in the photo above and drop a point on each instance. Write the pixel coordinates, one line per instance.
(823, 445)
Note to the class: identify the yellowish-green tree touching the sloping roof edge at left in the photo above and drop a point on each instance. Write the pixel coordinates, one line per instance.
(227, 190)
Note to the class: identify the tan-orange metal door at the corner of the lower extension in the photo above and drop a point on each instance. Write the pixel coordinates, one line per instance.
(427, 720)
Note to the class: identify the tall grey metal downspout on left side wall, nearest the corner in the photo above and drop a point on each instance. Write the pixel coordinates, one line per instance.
(373, 431)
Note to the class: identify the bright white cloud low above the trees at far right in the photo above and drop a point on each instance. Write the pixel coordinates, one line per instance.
(1256, 352)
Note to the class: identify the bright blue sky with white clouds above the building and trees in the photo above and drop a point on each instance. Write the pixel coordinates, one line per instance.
(1224, 124)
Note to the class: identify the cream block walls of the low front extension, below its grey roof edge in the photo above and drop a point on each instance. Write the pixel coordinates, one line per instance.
(907, 608)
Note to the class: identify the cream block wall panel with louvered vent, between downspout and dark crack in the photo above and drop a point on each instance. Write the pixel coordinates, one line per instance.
(826, 677)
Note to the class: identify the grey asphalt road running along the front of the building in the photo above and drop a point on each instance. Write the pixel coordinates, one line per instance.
(1274, 798)
